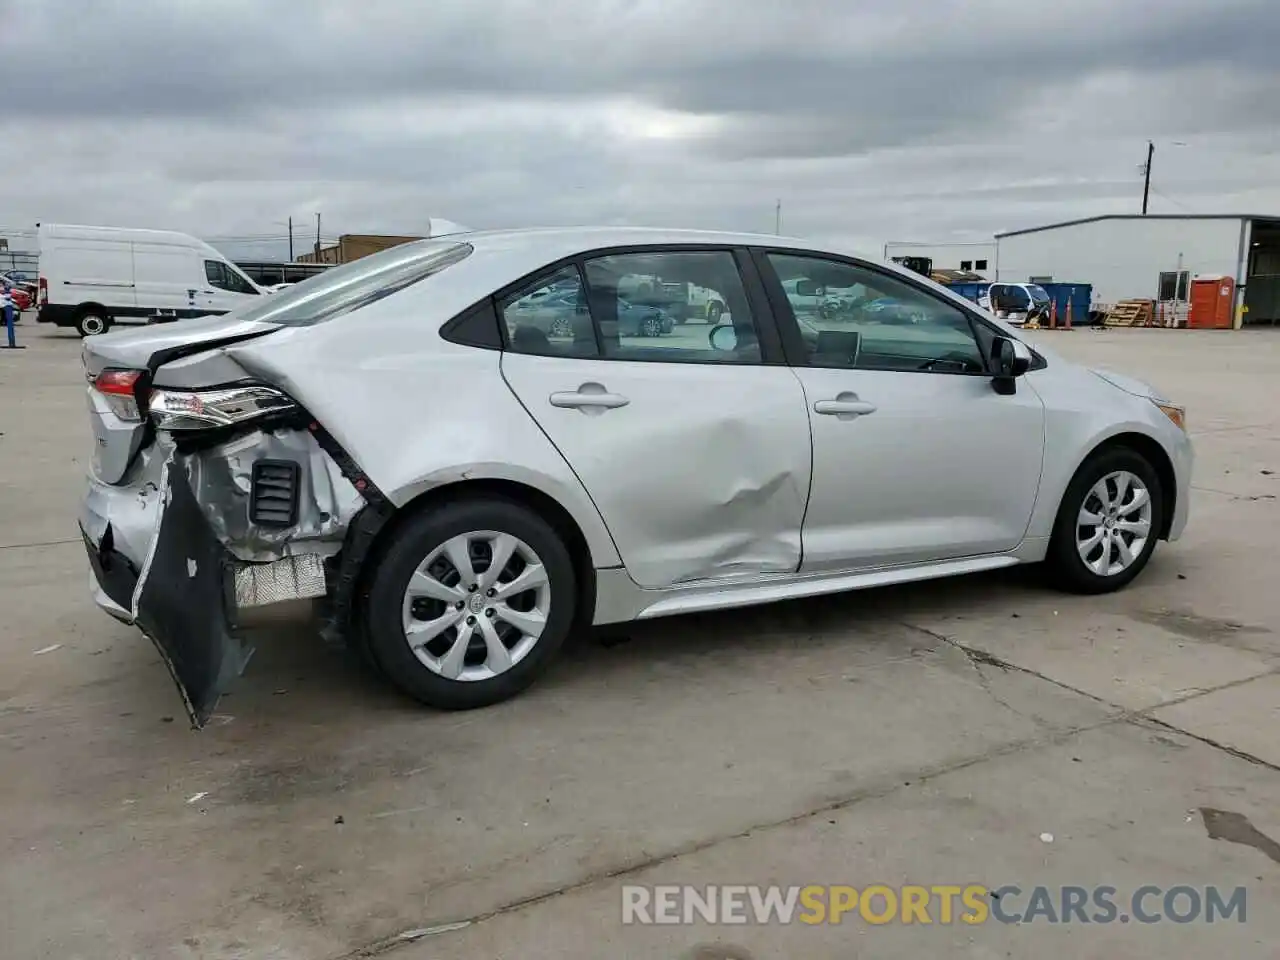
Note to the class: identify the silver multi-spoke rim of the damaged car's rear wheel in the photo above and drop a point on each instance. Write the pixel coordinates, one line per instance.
(477, 606)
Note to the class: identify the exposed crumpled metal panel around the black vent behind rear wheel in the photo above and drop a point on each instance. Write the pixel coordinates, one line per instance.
(221, 479)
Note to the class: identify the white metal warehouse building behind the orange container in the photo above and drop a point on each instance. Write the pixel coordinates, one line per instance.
(1154, 258)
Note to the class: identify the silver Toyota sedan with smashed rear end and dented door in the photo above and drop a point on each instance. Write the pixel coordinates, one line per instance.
(460, 491)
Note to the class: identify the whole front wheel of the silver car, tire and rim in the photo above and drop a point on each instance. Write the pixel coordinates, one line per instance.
(1109, 523)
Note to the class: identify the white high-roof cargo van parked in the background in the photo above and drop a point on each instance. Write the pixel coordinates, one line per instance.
(94, 277)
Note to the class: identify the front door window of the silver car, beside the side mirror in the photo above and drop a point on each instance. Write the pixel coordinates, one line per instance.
(856, 318)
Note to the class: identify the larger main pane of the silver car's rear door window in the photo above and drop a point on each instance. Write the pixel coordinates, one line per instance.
(679, 307)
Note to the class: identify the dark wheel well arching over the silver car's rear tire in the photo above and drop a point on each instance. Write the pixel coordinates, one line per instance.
(523, 495)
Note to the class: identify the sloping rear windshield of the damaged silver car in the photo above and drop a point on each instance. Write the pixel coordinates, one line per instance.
(356, 285)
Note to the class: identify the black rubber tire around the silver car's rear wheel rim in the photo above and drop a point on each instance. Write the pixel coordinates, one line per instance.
(413, 543)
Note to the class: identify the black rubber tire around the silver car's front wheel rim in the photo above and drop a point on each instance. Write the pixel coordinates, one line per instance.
(1068, 570)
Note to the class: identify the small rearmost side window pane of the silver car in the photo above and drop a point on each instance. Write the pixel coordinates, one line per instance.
(551, 318)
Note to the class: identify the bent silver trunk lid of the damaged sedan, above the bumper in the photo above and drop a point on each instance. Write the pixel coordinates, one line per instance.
(117, 438)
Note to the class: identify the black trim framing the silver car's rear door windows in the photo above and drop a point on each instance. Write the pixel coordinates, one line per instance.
(772, 353)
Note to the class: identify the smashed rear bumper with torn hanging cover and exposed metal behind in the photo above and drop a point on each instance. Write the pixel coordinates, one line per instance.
(175, 564)
